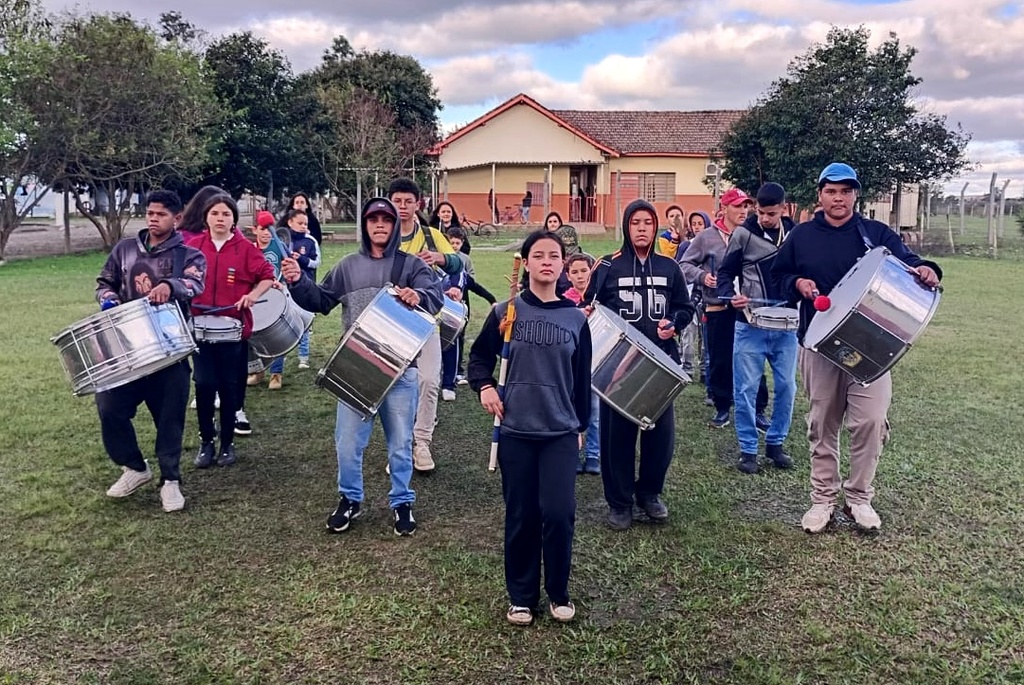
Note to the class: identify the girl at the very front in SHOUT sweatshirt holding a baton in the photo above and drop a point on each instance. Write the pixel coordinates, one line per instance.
(544, 410)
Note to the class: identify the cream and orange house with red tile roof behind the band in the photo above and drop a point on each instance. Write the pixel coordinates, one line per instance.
(586, 165)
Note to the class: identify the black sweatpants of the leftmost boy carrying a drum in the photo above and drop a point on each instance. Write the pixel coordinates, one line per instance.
(166, 396)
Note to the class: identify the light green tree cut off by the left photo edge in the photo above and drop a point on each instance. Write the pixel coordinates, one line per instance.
(24, 30)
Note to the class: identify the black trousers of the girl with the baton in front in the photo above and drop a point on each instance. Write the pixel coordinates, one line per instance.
(539, 487)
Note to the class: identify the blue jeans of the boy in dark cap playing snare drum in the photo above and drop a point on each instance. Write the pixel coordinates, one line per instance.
(752, 348)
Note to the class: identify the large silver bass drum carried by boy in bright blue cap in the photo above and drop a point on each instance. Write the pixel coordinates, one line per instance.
(878, 311)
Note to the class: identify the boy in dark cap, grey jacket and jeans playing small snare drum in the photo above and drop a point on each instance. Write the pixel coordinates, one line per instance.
(749, 258)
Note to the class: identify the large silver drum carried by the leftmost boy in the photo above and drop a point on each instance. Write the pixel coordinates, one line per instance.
(123, 345)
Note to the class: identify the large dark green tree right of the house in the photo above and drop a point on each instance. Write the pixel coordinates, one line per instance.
(843, 102)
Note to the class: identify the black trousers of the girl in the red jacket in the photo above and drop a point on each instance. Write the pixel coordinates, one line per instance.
(217, 371)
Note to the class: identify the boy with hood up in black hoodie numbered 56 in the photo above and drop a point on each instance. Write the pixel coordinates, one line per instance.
(648, 290)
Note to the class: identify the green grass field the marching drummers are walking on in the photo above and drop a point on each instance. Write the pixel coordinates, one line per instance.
(245, 587)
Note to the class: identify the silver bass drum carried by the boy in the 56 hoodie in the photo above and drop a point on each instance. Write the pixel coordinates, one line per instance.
(629, 372)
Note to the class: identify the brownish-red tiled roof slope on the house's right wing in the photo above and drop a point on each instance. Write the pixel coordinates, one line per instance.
(654, 133)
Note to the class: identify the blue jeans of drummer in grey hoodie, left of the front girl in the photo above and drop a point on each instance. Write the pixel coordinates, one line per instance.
(352, 435)
